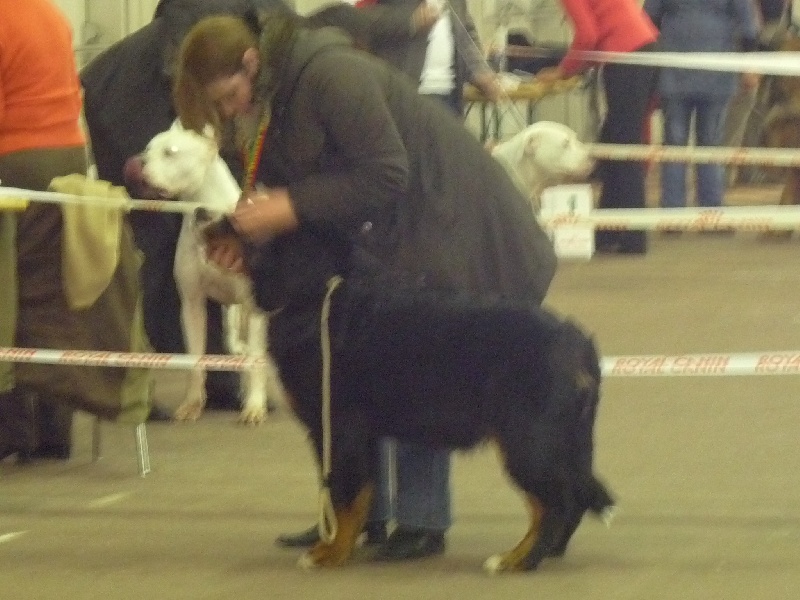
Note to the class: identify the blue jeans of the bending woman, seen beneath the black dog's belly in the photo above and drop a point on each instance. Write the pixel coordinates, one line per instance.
(418, 495)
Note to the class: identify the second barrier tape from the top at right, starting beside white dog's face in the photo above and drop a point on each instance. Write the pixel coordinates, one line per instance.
(770, 157)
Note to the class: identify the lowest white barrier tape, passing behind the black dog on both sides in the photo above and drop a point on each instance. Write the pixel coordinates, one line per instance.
(763, 363)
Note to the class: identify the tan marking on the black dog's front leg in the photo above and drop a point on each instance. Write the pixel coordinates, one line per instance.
(350, 522)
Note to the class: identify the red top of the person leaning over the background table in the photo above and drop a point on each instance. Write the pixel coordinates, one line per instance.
(606, 25)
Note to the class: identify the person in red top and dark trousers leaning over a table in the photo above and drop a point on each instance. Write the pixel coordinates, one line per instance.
(615, 26)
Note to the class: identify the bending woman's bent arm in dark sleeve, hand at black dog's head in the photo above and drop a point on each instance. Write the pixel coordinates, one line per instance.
(372, 164)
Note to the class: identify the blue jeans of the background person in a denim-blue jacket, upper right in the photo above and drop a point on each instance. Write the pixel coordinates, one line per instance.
(709, 115)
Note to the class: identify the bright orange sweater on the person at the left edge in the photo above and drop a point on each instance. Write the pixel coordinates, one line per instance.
(40, 97)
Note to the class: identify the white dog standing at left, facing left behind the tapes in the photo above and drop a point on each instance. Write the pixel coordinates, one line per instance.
(185, 165)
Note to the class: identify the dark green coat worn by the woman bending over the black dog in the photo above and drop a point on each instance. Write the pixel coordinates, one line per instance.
(368, 160)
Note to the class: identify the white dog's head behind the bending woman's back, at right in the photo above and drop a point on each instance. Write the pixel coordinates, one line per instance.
(544, 154)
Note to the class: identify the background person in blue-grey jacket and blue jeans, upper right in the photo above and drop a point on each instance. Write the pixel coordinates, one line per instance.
(686, 94)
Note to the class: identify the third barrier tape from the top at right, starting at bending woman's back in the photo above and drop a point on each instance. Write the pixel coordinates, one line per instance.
(739, 218)
